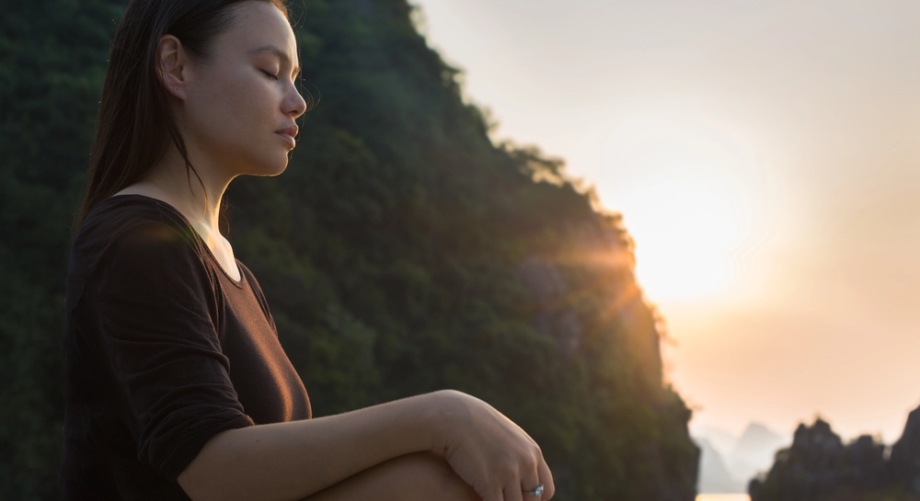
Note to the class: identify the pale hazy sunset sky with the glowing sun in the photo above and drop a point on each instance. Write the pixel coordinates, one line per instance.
(765, 155)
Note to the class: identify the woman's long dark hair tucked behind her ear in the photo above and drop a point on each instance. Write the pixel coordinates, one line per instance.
(135, 122)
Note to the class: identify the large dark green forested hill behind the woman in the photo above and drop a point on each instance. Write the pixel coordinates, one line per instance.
(402, 251)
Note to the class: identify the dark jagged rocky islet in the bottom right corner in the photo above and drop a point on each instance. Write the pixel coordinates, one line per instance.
(818, 466)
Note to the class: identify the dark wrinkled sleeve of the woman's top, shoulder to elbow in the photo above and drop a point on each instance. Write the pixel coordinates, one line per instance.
(150, 306)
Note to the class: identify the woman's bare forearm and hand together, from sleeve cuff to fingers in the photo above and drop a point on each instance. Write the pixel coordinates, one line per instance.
(295, 460)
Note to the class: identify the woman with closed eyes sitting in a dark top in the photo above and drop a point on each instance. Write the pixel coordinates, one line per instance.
(176, 386)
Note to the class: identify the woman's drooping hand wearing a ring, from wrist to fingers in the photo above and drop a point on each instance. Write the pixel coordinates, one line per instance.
(489, 451)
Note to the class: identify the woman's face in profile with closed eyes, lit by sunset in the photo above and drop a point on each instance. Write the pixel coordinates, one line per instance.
(240, 103)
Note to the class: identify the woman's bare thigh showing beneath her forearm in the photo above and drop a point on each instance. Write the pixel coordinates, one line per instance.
(415, 477)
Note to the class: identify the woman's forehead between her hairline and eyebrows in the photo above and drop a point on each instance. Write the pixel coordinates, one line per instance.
(256, 25)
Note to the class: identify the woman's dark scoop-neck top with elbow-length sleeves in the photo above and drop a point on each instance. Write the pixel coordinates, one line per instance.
(163, 350)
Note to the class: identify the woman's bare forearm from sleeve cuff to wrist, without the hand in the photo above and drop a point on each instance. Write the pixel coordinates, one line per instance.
(289, 461)
